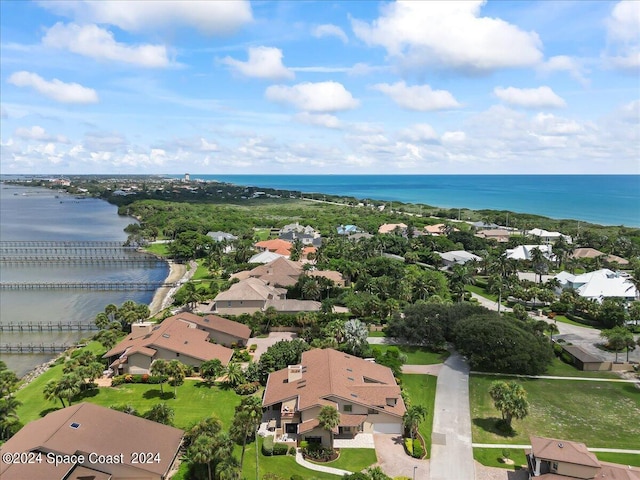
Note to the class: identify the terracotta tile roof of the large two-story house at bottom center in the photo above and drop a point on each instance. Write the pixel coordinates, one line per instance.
(331, 374)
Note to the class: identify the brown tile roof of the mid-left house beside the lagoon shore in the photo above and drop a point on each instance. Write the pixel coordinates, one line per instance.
(174, 335)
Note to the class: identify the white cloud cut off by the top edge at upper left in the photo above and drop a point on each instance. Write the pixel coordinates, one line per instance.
(218, 17)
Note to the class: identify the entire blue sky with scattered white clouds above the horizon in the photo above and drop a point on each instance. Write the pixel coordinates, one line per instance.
(320, 87)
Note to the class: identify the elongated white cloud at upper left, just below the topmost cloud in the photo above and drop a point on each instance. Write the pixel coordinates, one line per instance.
(96, 42)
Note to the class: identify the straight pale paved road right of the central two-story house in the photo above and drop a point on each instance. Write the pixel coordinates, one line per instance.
(451, 451)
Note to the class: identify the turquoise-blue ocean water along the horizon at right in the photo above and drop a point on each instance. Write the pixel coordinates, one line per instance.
(601, 199)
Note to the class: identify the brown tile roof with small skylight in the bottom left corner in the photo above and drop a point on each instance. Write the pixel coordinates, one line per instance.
(84, 428)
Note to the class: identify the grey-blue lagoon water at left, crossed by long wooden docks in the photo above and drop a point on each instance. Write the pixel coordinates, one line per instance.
(36, 214)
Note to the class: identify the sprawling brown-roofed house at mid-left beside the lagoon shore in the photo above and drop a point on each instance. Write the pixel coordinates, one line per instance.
(176, 338)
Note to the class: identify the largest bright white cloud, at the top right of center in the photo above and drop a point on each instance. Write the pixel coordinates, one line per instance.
(449, 34)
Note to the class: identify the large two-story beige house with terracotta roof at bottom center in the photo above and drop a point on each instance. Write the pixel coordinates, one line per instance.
(365, 394)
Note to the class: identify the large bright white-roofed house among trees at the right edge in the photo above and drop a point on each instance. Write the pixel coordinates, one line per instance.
(600, 284)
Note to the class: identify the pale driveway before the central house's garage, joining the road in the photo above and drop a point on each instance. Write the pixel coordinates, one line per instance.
(394, 461)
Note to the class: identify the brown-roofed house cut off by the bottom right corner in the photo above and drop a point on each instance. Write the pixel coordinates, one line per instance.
(552, 459)
